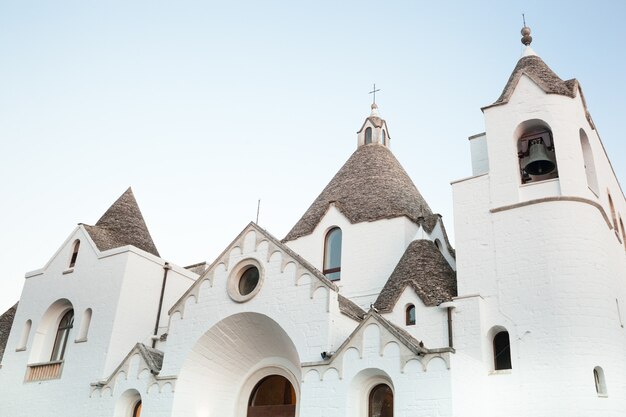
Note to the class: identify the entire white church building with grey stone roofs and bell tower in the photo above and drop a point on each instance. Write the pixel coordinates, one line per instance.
(364, 309)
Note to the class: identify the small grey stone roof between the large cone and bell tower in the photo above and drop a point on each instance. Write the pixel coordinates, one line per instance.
(424, 268)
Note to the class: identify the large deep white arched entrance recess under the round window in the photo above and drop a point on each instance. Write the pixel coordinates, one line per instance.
(225, 368)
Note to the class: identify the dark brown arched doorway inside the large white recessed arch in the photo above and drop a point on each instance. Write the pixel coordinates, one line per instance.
(273, 396)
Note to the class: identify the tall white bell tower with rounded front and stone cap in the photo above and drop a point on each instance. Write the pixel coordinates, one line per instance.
(539, 255)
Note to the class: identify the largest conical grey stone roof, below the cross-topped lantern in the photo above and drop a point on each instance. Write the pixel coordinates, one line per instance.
(372, 185)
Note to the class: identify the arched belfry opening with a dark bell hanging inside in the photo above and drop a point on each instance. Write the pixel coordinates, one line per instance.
(535, 152)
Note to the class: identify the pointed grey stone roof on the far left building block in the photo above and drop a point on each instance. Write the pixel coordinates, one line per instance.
(122, 225)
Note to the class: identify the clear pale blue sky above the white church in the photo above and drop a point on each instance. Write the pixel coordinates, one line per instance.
(204, 107)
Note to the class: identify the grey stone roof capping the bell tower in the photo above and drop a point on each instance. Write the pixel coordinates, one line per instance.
(542, 75)
